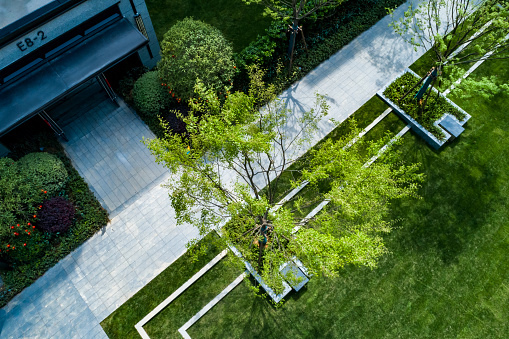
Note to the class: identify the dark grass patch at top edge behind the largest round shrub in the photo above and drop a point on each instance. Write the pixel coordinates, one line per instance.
(239, 22)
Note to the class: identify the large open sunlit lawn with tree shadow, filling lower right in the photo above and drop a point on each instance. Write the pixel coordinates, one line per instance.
(447, 275)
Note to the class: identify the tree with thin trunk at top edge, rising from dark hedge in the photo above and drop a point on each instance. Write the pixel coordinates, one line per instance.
(294, 11)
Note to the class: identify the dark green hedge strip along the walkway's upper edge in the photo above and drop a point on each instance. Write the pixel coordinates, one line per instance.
(324, 37)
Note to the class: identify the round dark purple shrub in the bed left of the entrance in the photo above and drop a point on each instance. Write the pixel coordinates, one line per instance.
(56, 215)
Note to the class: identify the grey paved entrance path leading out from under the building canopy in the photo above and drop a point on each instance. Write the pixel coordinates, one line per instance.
(104, 145)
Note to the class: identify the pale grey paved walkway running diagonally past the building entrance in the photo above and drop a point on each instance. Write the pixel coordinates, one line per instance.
(141, 240)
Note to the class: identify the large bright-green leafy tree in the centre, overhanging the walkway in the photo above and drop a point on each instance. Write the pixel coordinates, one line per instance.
(237, 162)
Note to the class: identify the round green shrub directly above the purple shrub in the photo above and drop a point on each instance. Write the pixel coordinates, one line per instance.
(44, 171)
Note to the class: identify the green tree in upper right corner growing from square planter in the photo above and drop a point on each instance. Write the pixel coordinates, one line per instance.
(458, 33)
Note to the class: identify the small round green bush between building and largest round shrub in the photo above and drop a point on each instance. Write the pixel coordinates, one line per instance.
(149, 96)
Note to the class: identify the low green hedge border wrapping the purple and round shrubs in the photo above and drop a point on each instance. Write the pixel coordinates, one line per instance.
(90, 217)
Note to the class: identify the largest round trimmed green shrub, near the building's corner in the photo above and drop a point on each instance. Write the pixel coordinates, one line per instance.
(194, 50)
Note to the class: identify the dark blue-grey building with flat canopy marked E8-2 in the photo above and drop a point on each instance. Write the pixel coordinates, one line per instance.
(49, 48)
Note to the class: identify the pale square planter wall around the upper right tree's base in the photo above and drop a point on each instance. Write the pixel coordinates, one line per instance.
(418, 128)
